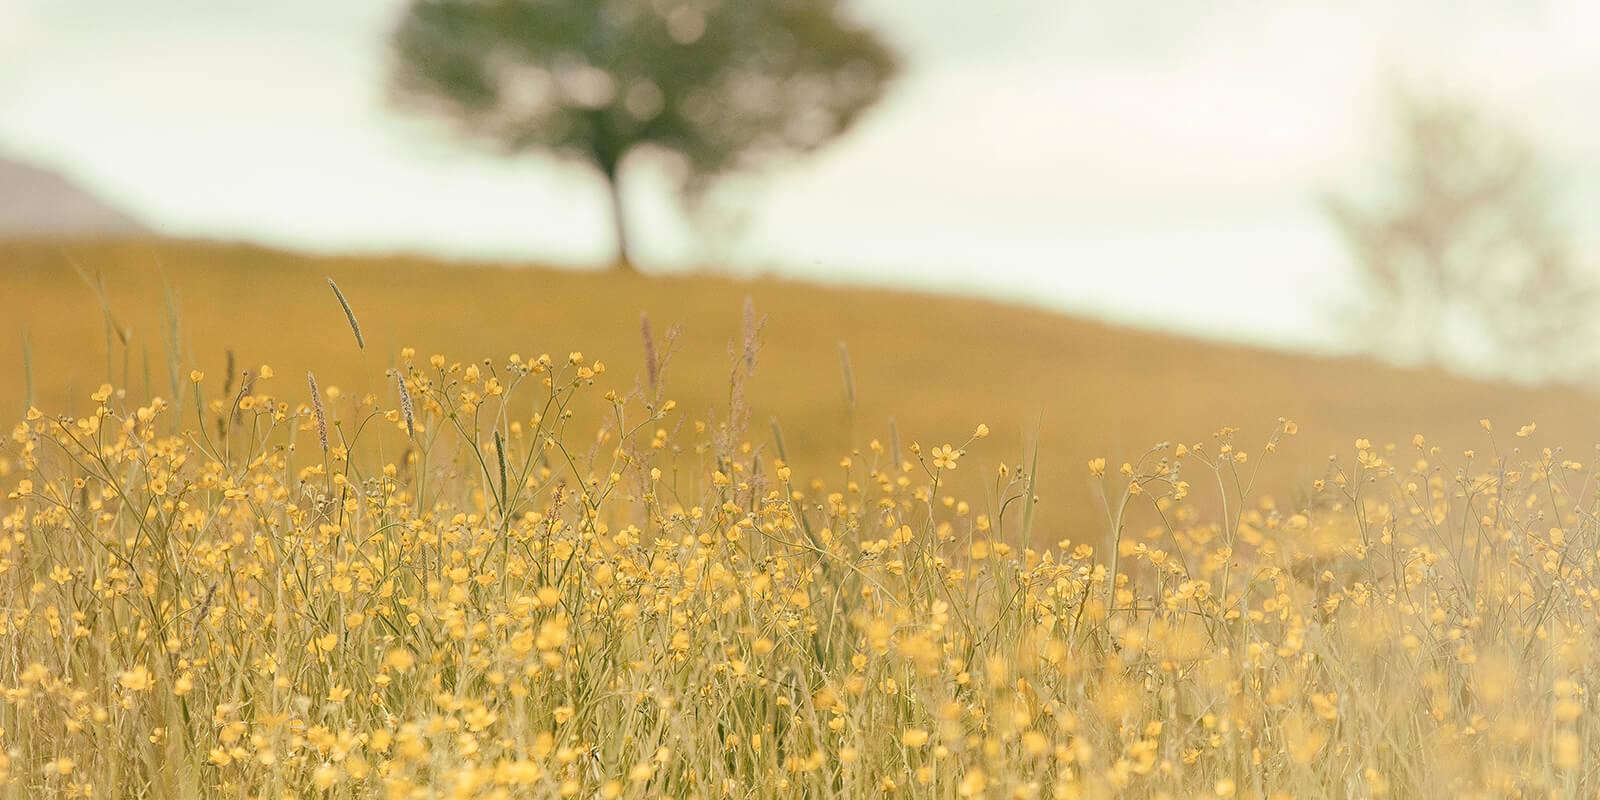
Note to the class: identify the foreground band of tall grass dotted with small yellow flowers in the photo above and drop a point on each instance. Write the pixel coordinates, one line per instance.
(529, 578)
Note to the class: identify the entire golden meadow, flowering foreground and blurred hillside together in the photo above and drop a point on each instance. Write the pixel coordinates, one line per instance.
(490, 538)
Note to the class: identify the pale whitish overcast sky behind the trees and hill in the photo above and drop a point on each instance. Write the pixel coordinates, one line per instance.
(1150, 162)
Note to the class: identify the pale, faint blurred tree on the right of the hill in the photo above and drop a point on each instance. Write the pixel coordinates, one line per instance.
(1468, 265)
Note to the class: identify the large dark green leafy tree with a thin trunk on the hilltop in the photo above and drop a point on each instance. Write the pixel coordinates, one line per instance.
(719, 84)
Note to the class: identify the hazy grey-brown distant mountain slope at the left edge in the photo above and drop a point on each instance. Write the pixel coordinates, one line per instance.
(38, 202)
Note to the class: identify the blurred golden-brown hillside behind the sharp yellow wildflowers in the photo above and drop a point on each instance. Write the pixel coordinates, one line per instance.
(938, 366)
